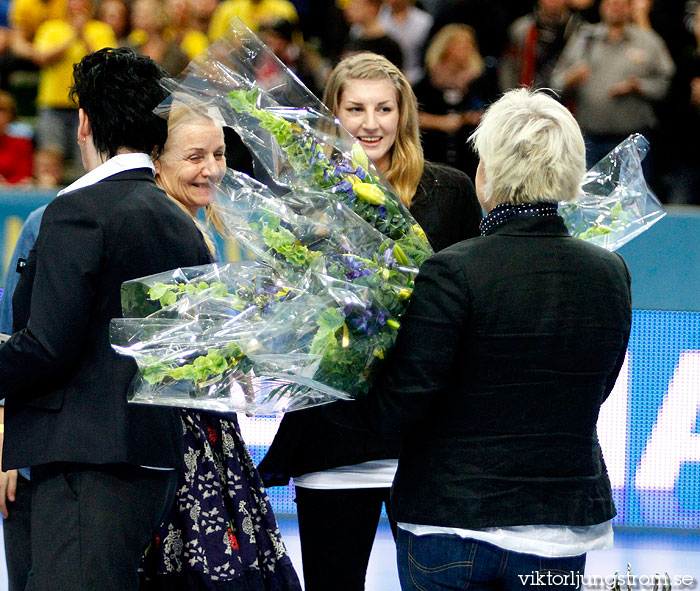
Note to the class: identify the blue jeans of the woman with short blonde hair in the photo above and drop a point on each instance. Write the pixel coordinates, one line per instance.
(445, 562)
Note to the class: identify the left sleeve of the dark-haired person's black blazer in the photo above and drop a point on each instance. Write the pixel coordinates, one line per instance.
(68, 253)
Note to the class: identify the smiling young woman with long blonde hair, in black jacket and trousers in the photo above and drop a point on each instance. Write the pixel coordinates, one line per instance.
(342, 477)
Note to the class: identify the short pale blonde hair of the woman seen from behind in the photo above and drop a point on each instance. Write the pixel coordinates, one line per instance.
(531, 149)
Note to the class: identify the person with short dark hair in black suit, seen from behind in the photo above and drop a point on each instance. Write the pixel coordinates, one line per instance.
(102, 471)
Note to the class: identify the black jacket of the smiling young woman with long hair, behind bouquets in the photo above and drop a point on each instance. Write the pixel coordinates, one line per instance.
(446, 207)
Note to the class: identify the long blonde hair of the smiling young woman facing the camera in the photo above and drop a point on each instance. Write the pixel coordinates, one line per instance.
(407, 162)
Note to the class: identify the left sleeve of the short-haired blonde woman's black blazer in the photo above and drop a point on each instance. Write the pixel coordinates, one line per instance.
(420, 364)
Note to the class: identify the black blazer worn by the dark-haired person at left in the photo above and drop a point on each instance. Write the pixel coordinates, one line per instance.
(65, 386)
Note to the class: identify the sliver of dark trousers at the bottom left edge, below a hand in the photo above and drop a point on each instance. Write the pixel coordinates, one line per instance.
(17, 531)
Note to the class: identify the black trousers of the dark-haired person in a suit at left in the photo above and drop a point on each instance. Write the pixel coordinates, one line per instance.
(91, 523)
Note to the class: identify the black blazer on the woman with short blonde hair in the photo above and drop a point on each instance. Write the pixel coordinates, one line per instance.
(511, 343)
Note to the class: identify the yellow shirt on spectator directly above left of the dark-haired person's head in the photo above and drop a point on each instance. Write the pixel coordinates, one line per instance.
(56, 78)
